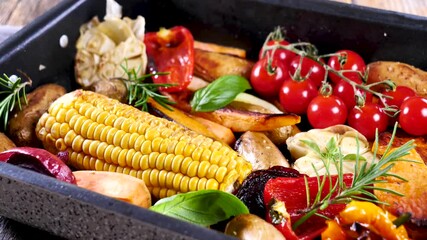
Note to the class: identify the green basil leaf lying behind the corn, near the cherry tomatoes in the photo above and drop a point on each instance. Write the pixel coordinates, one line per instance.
(219, 93)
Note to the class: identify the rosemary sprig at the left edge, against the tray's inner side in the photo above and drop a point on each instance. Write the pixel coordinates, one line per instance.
(12, 89)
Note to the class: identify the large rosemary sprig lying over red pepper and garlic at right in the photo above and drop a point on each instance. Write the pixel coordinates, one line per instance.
(364, 176)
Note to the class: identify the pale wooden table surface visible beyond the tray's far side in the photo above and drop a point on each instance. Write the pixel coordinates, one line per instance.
(21, 12)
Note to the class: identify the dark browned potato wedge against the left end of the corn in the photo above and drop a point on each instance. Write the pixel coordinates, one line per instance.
(22, 124)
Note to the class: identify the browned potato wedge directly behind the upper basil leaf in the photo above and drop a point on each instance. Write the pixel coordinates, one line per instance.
(210, 66)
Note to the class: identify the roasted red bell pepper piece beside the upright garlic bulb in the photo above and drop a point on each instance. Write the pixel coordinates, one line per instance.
(171, 50)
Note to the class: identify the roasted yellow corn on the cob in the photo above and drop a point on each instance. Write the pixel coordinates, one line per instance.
(105, 135)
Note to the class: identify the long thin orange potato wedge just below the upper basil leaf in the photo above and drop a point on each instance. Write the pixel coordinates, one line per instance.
(243, 121)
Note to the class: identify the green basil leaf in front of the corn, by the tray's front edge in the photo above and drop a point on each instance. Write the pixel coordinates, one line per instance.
(204, 207)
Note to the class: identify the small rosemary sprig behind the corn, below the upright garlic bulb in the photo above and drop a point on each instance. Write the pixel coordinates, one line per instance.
(140, 91)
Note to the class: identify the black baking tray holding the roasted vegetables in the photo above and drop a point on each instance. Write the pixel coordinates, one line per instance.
(70, 212)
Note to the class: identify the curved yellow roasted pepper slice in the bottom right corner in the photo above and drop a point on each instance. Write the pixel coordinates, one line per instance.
(368, 215)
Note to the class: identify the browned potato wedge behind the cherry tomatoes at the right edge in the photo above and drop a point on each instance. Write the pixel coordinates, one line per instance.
(400, 73)
